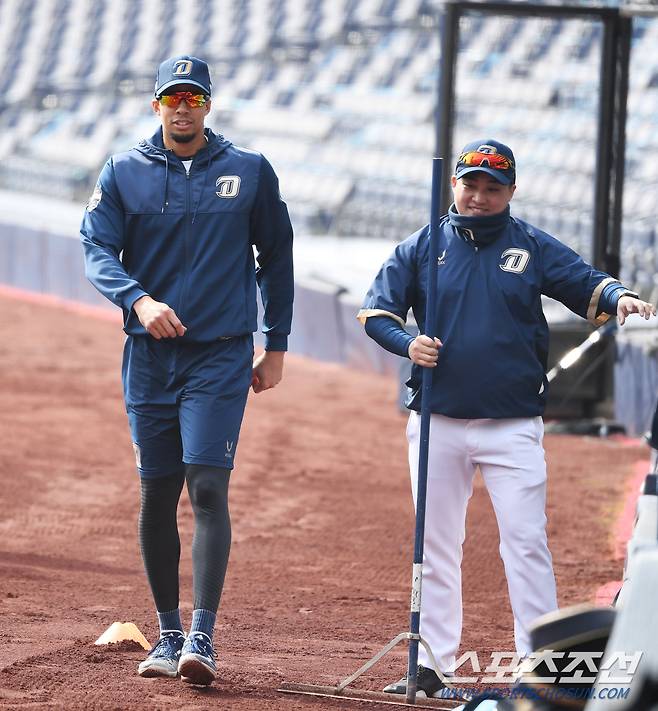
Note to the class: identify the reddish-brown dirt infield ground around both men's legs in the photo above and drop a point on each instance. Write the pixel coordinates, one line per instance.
(322, 524)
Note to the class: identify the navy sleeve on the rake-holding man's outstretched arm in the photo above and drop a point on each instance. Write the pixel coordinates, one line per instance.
(571, 280)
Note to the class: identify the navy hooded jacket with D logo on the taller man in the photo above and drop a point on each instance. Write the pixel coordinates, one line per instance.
(187, 240)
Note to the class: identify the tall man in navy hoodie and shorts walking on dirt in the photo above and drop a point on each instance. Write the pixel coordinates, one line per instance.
(168, 236)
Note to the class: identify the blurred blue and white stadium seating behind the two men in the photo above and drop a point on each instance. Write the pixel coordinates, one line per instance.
(340, 95)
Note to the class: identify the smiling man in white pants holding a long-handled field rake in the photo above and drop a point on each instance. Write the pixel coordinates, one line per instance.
(489, 384)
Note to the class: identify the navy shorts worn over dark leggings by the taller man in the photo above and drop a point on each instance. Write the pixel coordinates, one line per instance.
(185, 401)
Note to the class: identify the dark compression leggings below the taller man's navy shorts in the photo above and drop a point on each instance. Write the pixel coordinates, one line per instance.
(160, 544)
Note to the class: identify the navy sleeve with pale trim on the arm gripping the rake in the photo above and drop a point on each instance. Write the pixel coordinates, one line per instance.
(391, 293)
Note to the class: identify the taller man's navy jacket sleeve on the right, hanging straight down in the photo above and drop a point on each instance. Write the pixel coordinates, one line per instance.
(271, 233)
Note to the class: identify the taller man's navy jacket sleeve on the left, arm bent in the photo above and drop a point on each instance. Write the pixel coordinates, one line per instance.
(102, 235)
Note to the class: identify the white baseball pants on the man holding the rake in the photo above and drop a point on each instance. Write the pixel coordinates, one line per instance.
(510, 455)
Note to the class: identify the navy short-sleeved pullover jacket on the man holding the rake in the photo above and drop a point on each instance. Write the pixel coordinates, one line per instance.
(489, 314)
